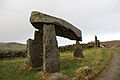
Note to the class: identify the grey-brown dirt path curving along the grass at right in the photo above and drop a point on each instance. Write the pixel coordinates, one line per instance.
(113, 70)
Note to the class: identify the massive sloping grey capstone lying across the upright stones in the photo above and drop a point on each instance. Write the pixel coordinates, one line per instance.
(62, 27)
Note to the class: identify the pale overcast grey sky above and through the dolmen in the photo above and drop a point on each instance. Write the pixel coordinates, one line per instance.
(92, 17)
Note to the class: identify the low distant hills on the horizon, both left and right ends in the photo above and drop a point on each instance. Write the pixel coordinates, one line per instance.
(19, 46)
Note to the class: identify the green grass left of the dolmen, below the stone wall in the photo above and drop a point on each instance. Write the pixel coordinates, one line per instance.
(10, 70)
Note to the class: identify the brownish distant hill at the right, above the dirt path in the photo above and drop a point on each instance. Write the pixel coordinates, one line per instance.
(114, 43)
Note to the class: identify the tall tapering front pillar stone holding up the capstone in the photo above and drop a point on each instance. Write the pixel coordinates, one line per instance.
(51, 56)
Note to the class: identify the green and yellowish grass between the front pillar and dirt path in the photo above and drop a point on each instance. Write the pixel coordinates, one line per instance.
(69, 65)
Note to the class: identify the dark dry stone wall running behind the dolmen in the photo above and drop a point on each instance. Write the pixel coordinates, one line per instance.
(23, 53)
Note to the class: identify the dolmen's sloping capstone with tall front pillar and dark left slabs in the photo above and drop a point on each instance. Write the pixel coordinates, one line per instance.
(43, 50)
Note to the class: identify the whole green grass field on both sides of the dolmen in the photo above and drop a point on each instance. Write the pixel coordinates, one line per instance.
(10, 68)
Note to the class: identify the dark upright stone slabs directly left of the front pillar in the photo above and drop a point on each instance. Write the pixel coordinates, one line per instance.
(35, 50)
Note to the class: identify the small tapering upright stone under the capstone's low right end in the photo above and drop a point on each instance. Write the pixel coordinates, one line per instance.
(78, 50)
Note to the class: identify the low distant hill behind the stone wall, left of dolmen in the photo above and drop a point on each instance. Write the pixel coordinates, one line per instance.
(12, 46)
